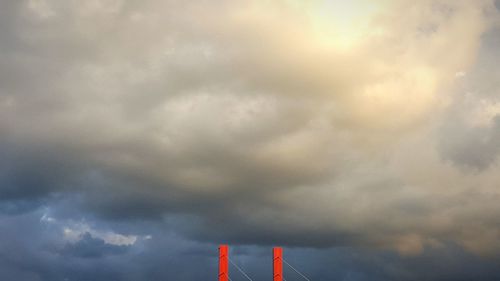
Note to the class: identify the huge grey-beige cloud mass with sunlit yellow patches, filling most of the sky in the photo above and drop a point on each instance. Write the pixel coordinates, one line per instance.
(234, 129)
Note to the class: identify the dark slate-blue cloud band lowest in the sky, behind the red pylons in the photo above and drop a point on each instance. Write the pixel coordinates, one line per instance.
(31, 249)
